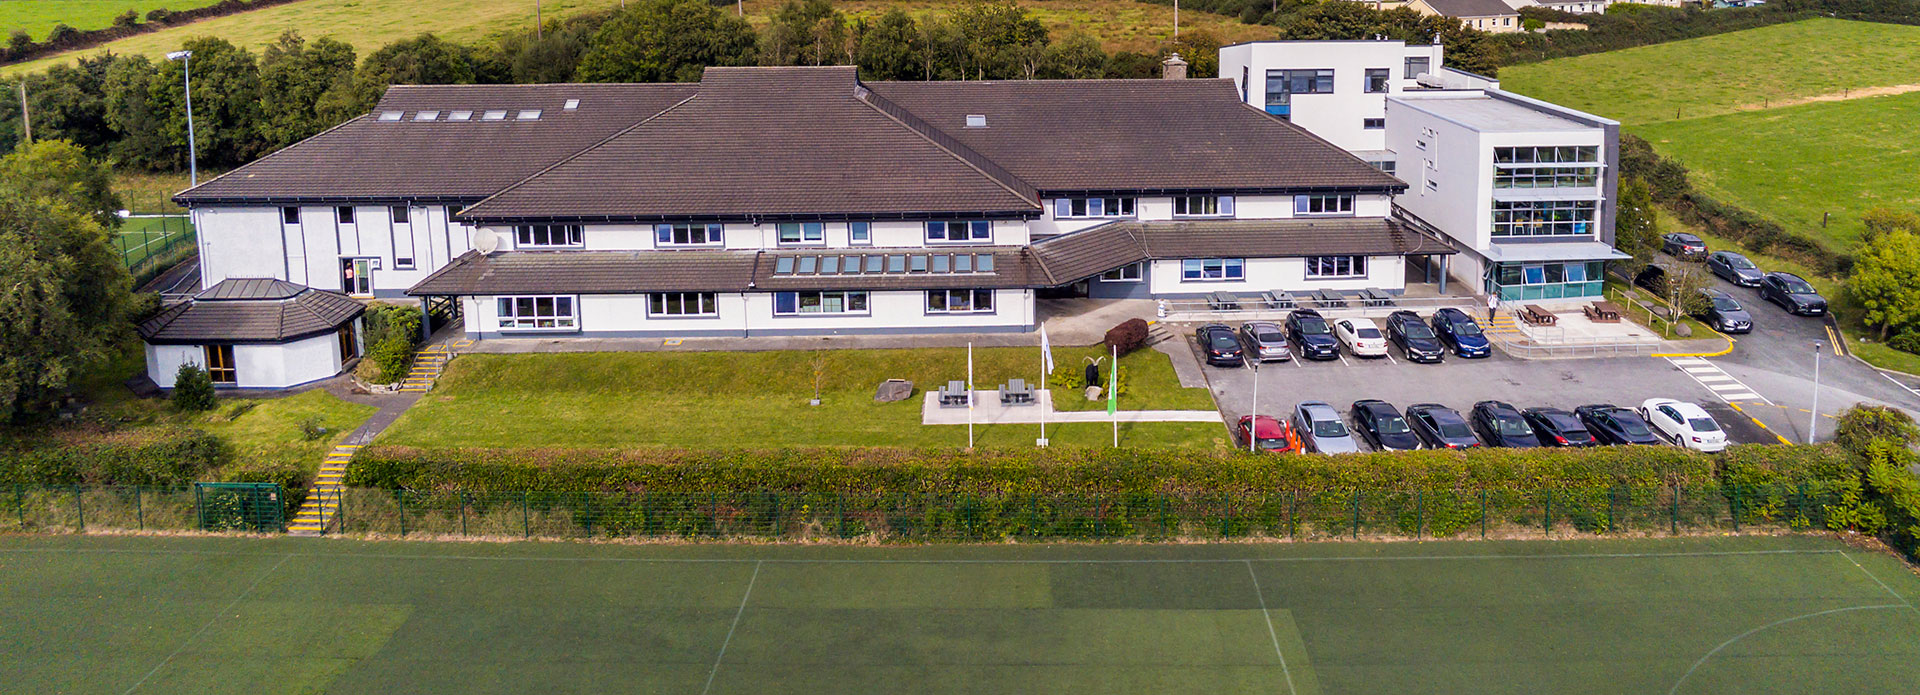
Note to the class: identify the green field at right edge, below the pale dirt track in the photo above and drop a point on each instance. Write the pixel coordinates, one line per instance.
(1804, 162)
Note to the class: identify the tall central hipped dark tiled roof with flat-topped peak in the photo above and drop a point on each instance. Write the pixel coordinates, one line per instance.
(771, 143)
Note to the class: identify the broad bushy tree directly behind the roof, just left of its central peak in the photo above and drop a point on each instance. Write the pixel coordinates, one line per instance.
(667, 41)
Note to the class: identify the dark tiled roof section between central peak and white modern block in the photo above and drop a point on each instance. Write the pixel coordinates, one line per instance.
(1134, 135)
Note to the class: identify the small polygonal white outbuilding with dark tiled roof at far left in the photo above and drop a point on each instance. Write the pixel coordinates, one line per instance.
(256, 333)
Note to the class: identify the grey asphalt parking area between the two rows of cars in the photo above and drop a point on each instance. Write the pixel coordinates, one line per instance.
(1460, 383)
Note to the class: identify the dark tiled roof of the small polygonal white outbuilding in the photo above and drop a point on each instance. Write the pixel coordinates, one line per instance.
(251, 312)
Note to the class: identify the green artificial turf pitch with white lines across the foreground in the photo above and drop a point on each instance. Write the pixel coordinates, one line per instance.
(231, 615)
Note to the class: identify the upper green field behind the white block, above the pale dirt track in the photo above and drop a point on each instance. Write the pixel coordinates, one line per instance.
(1723, 74)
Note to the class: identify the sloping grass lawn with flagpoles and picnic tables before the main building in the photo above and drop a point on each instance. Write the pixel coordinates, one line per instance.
(759, 400)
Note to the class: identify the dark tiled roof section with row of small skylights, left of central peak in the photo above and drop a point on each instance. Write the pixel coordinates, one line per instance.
(443, 160)
